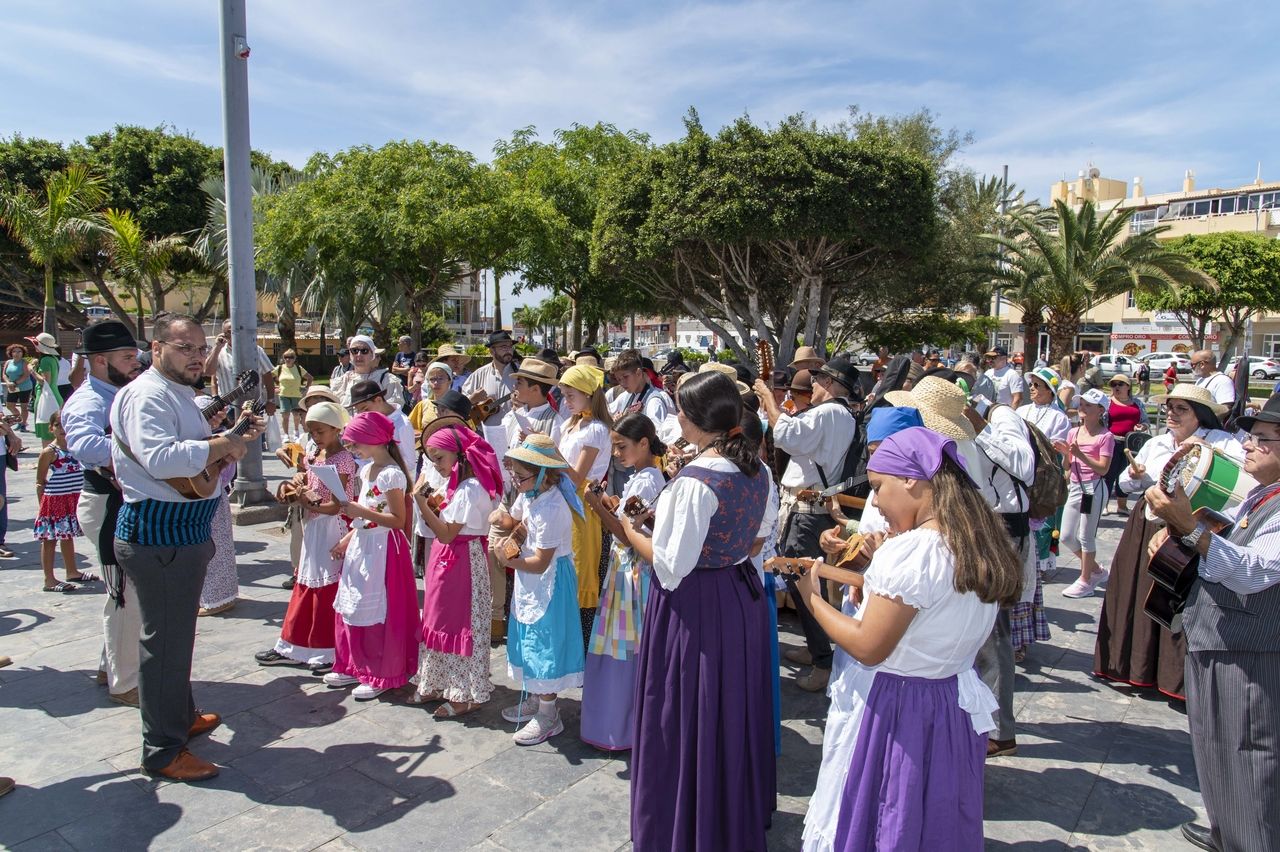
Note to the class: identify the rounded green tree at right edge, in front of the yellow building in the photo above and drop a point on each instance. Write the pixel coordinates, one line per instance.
(1245, 272)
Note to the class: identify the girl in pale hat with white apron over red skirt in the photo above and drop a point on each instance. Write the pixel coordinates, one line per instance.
(308, 636)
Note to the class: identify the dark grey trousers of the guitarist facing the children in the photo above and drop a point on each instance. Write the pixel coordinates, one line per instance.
(166, 583)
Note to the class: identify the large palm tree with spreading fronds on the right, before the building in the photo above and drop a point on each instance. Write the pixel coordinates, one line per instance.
(1082, 259)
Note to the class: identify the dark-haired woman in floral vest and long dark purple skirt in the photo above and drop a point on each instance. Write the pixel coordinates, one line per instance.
(703, 763)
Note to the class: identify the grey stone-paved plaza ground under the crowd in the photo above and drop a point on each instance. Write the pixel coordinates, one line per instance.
(309, 768)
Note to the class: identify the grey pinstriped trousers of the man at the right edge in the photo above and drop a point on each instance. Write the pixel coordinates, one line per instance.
(1233, 708)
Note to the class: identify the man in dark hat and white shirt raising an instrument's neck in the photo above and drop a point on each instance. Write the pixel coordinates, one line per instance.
(819, 441)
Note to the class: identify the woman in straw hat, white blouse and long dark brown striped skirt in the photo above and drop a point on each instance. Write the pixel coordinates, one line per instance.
(1131, 647)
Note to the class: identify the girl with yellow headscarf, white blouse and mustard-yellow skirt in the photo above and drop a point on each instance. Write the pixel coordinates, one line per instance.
(587, 447)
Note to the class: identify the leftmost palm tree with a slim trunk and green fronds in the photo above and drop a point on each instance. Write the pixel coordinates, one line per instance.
(54, 228)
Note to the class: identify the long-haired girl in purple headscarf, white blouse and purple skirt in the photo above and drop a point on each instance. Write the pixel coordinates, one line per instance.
(907, 732)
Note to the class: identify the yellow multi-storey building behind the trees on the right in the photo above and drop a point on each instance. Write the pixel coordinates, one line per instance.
(1117, 324)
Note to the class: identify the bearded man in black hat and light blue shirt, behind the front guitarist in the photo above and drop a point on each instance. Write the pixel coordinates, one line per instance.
(113, 363)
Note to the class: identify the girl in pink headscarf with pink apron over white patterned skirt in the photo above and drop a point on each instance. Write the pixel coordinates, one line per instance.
(456, 611)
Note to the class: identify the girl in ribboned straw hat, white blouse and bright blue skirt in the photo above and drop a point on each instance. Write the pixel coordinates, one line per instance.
(545, 643)
